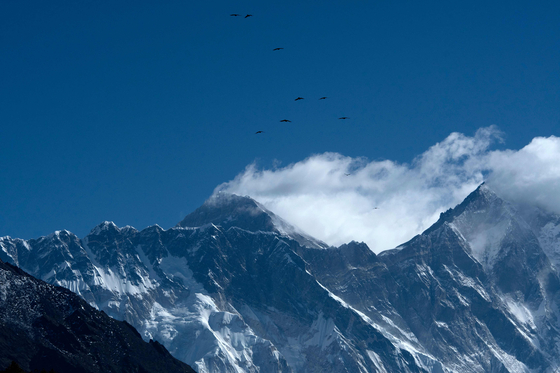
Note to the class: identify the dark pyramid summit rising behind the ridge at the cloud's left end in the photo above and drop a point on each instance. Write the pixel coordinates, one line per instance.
(230, 210)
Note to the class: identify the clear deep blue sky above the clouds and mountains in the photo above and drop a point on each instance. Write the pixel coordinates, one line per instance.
(134, 111)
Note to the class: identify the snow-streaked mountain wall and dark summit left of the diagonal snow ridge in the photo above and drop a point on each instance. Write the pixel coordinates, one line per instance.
(215, 297)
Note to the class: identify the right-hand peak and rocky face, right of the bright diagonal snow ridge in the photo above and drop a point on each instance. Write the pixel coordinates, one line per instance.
(476, 291)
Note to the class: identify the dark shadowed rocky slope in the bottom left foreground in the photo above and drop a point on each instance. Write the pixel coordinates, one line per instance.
(49, 327)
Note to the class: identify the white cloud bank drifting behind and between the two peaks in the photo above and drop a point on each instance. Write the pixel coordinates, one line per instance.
(384, 203)
